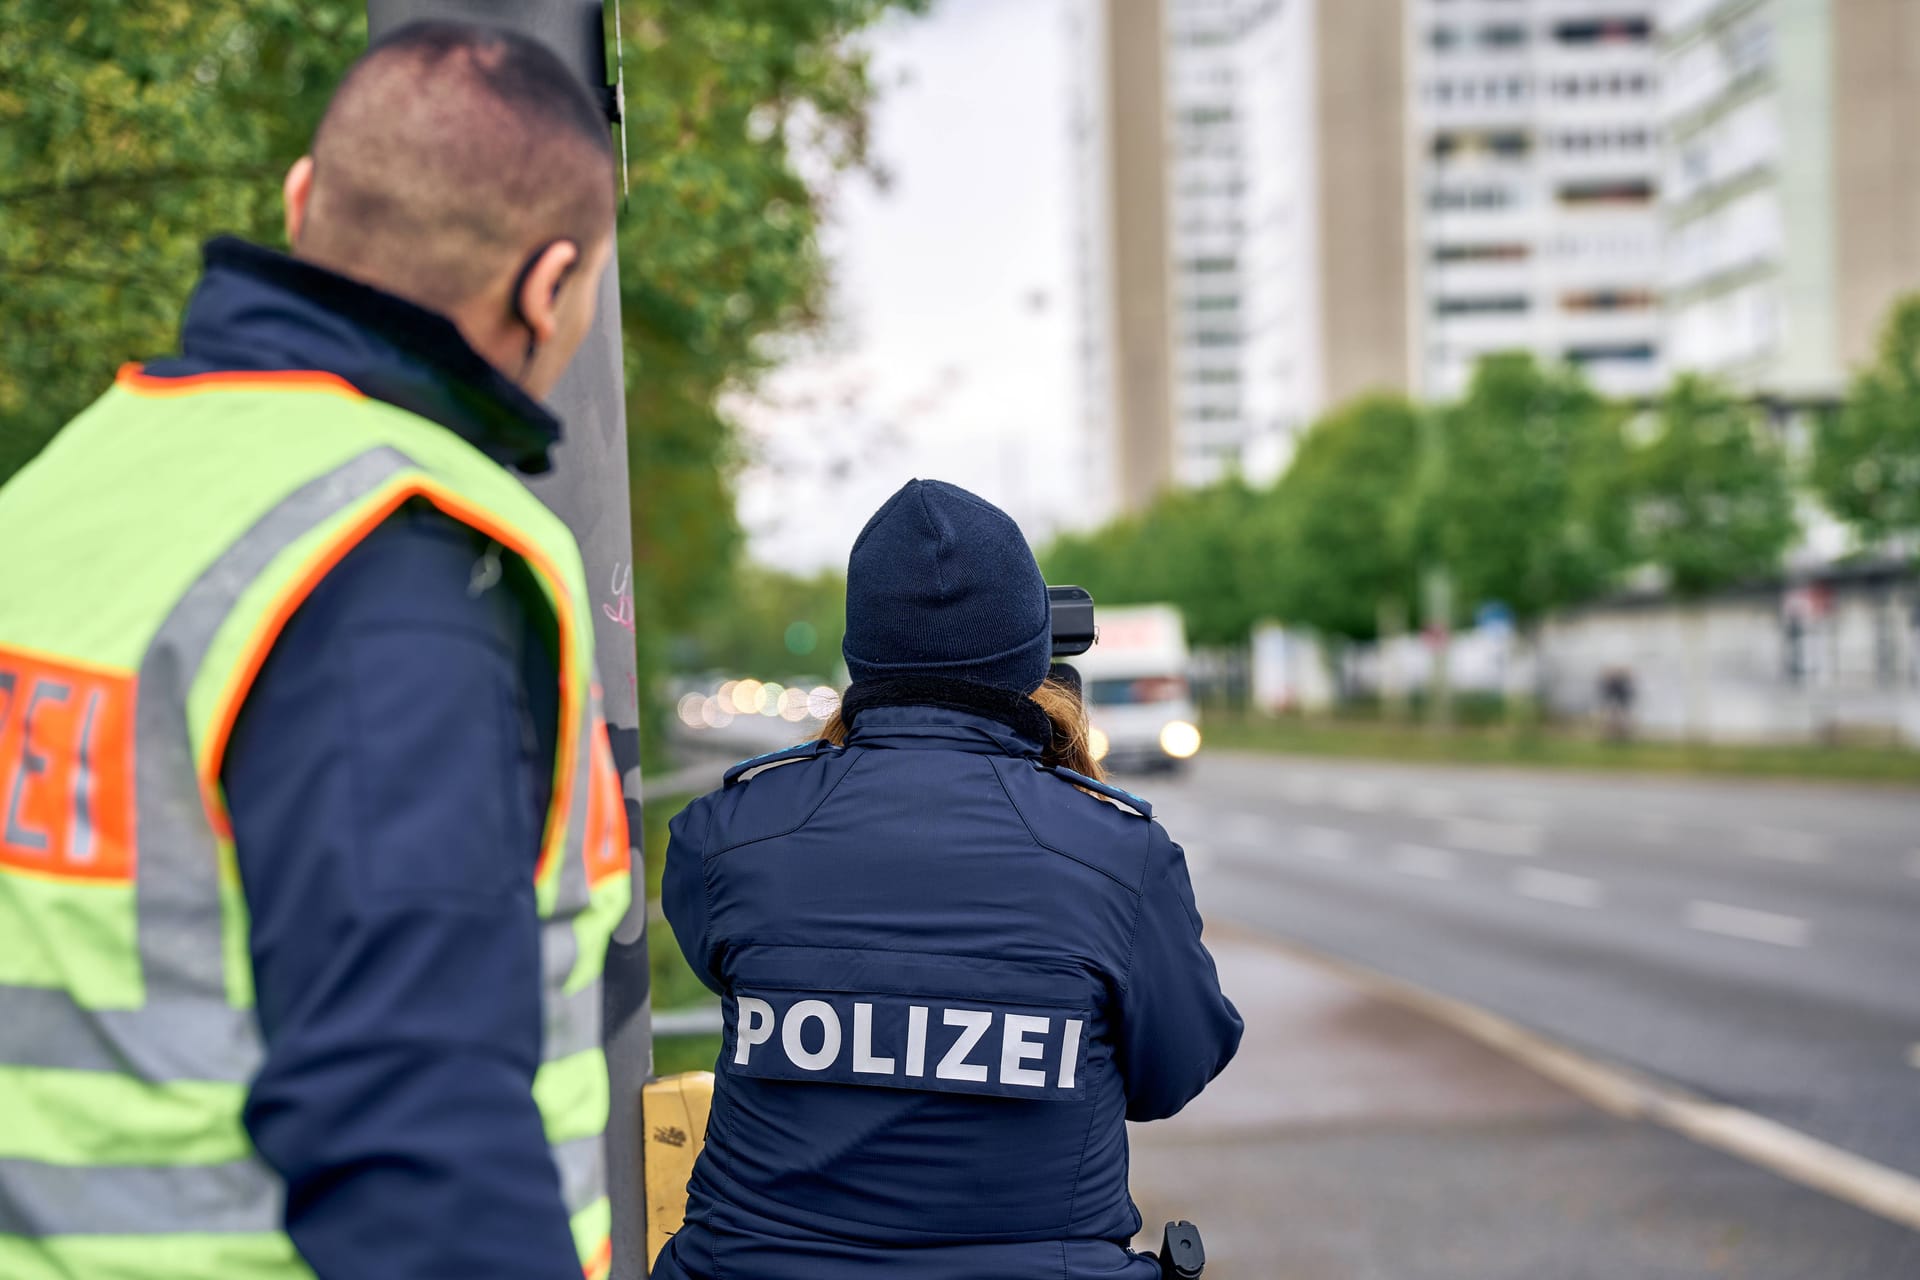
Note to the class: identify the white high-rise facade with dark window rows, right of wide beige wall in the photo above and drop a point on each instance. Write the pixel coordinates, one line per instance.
(1537, 197)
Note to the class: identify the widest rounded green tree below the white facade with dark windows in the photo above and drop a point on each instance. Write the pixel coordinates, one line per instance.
(1518, 498)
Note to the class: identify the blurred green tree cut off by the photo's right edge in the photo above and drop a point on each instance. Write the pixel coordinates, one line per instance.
(1867, 458)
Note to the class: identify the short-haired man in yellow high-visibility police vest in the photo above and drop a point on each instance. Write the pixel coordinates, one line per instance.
(310, 836)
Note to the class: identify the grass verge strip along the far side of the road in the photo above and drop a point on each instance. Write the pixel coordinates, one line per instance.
(1558, 749)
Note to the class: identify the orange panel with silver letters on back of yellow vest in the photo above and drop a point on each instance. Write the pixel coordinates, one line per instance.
(66, 769)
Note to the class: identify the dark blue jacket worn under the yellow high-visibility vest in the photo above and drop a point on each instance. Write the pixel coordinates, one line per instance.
(387, 778)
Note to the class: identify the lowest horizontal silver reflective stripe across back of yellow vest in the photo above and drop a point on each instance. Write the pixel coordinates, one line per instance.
(133, 1200)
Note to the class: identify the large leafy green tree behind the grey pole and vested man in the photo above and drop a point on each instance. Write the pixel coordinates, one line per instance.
(133, 131)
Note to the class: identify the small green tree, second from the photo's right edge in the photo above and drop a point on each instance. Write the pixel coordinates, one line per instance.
(1710, 492)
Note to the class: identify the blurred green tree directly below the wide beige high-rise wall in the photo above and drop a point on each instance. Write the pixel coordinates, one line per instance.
(1343, 510)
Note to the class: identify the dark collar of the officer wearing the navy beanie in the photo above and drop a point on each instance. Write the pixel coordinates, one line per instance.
(949, 715)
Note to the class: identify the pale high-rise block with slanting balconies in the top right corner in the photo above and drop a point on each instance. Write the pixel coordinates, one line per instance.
(1792, 185)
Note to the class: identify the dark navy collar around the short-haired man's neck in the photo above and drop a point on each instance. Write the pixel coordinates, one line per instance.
(258, 310)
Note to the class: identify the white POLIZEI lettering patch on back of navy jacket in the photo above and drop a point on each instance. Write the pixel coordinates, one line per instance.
(944, 1045)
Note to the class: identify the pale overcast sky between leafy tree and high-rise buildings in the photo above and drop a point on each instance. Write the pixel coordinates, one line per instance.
(953, 348)
